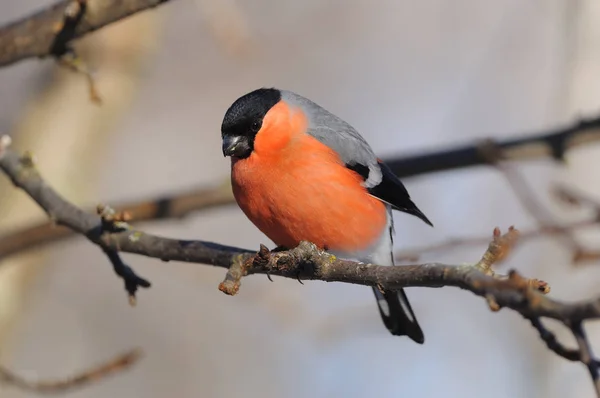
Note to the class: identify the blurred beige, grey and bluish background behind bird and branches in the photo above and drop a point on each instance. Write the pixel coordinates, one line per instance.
(411, 76)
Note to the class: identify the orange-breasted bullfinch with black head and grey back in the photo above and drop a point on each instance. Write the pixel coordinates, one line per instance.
(300, 173)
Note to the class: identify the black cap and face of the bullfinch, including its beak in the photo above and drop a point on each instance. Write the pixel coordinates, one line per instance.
(243, 121)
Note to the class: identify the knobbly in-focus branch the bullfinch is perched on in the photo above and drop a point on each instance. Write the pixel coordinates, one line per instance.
(111, 232)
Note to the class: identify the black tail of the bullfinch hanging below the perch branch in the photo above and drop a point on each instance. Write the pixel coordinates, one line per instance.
(397, 314)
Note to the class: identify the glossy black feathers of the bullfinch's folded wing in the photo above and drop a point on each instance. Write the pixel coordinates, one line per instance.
(390, 190)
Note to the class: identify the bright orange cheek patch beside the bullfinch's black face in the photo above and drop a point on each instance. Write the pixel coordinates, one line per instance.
(281, 125)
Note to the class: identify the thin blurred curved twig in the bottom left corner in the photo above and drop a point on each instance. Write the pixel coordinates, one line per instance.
(118, 364)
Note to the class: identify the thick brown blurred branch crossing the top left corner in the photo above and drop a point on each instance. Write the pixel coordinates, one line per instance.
(50, 31)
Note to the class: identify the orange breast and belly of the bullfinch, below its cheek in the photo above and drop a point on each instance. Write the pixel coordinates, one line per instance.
(302, 191)
